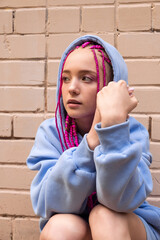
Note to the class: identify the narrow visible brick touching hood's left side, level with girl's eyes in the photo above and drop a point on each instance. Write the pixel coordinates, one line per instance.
(53, 66)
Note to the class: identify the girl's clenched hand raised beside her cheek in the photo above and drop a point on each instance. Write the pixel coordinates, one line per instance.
(115, 102)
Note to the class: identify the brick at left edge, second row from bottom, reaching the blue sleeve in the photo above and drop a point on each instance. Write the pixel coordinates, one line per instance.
(16, 203)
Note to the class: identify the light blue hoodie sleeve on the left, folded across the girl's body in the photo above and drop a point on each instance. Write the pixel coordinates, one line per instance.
(64, 180)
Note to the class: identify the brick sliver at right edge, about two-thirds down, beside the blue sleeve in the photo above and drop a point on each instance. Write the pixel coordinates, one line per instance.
(155, 150)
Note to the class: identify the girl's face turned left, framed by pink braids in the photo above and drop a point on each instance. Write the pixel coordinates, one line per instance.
(79, 88)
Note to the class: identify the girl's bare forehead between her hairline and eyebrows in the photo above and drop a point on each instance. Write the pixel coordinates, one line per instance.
(82, 58)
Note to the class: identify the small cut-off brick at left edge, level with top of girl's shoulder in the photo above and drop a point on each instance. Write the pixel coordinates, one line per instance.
(5, 125)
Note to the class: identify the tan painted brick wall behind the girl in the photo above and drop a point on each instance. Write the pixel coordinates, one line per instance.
(33, 35)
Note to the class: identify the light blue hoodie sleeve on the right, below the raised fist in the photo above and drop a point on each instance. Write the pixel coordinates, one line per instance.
(122, 162)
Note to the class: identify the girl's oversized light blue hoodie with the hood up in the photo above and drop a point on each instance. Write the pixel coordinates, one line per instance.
(117, 170)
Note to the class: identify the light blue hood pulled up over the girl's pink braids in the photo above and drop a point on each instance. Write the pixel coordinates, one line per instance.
(118, 66)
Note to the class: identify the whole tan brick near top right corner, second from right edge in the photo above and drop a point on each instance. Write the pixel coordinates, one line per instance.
(134, 18)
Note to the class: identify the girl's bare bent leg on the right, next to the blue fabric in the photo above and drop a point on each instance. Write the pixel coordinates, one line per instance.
(110, 225)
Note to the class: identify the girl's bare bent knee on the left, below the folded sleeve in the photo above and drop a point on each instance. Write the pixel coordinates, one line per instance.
(66, 227)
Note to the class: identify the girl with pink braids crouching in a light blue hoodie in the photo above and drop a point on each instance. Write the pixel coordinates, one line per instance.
(93, 158)
